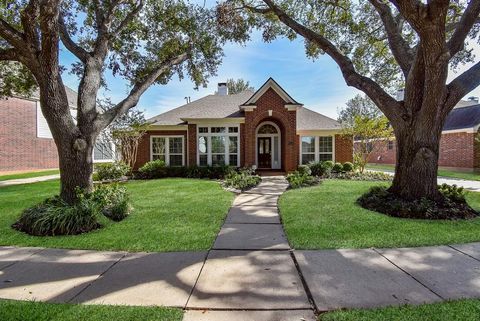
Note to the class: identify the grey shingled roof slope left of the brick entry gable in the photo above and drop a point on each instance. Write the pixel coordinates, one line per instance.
(211, 106)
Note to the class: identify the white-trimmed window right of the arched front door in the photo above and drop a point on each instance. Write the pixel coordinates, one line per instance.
(316, 149)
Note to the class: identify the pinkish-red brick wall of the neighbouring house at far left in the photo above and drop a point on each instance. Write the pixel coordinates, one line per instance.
(20, 148)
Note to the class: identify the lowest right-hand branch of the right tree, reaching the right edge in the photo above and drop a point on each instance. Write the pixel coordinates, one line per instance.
(462, 85)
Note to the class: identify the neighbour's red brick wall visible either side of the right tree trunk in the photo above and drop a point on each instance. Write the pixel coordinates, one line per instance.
(457, 150)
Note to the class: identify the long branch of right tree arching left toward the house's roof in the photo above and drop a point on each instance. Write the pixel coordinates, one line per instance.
(391, 108)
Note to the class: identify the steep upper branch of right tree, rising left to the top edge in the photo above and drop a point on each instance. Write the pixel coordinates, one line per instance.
(398, 45)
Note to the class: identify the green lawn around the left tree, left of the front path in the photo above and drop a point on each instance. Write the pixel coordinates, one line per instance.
(169, 215)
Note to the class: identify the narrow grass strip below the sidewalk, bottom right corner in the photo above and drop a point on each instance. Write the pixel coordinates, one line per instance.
(460, 310)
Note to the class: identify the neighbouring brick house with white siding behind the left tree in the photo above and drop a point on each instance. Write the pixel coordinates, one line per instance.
(26, 142)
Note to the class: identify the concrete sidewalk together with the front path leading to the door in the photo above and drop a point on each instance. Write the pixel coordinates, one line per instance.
(250, 274)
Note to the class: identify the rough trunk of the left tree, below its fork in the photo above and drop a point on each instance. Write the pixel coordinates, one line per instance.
(76, 169)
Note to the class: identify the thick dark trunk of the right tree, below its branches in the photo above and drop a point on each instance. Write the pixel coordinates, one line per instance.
(417, 163)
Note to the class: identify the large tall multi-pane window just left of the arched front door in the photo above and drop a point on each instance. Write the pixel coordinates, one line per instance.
(218, 145)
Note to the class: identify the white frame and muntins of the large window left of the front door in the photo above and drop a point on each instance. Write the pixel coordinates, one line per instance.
(226, 134)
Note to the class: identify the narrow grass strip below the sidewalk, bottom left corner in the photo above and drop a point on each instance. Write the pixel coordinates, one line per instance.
(37, 311)
